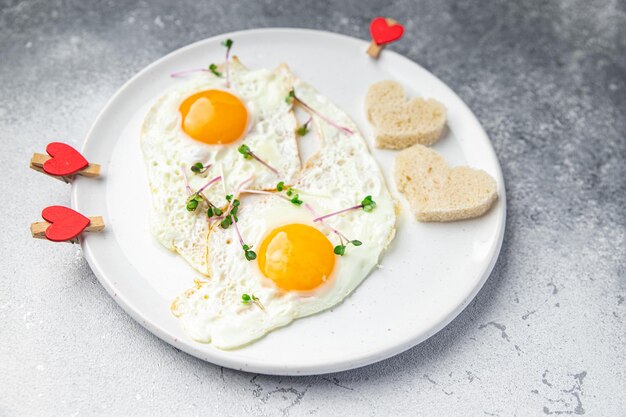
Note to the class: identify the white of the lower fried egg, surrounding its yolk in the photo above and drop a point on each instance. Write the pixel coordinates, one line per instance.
(338, 176)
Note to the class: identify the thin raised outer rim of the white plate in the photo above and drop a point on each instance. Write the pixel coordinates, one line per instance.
(258, 366)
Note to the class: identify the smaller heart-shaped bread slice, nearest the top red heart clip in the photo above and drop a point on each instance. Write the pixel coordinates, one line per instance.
(399, 123)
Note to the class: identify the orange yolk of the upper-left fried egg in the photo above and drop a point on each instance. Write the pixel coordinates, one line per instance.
(214, 117)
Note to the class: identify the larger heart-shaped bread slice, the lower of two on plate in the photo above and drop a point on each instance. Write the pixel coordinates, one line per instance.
(439, 193)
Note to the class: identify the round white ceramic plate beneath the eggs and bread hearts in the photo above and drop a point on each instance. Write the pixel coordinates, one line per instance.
(430, 273)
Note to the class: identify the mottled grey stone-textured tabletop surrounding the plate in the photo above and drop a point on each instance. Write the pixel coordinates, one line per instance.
(546, 335)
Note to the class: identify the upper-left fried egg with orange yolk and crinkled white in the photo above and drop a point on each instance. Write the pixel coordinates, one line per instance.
(201, 119)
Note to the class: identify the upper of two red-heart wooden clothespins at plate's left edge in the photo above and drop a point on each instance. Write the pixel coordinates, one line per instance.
(63, 162)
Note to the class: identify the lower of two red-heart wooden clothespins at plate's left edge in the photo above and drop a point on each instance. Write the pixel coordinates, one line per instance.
(62, 224)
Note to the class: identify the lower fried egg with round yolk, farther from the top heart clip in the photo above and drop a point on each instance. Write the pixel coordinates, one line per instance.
(296, 273)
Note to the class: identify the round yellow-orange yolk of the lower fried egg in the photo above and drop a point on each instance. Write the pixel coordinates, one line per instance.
(296, 257)
